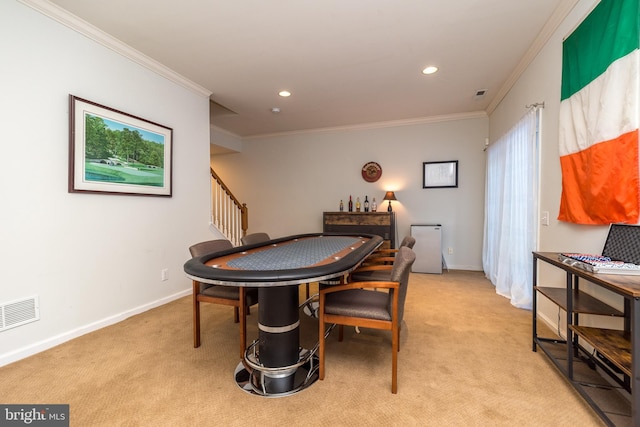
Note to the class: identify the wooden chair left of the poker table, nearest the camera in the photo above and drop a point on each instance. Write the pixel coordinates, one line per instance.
(239, 297)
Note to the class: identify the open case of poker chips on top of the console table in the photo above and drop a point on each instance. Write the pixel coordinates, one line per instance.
(620, 254)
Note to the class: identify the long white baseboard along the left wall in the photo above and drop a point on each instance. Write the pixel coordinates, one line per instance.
(30, 350)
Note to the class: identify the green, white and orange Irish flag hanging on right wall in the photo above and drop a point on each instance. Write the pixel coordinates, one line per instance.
(599, 117)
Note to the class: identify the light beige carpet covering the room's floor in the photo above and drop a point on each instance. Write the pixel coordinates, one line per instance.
(465, 360)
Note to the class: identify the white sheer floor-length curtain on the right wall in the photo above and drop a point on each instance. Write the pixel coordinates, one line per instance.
(511, 206)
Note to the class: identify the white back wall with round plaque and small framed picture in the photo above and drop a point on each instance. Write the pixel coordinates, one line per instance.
(287, 181)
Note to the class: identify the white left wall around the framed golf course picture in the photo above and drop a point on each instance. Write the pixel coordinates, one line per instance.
(91, 259)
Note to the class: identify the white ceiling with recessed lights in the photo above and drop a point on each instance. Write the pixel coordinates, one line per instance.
(346, 62)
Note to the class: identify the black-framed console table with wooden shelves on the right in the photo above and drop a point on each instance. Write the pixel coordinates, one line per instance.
(608, 377)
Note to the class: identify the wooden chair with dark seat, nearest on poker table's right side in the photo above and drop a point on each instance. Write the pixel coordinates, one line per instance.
(354, 304)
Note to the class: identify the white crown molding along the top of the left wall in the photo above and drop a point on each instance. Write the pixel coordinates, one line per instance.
(71, 21)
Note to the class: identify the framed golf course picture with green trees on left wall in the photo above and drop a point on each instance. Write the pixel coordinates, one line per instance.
(114, 152)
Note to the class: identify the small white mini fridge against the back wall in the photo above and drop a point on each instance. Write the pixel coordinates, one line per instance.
(428, 248)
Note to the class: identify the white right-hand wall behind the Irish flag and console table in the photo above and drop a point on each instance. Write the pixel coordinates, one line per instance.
(541, 83)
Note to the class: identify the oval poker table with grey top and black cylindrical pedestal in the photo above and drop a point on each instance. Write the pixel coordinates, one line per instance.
(274, 365)
